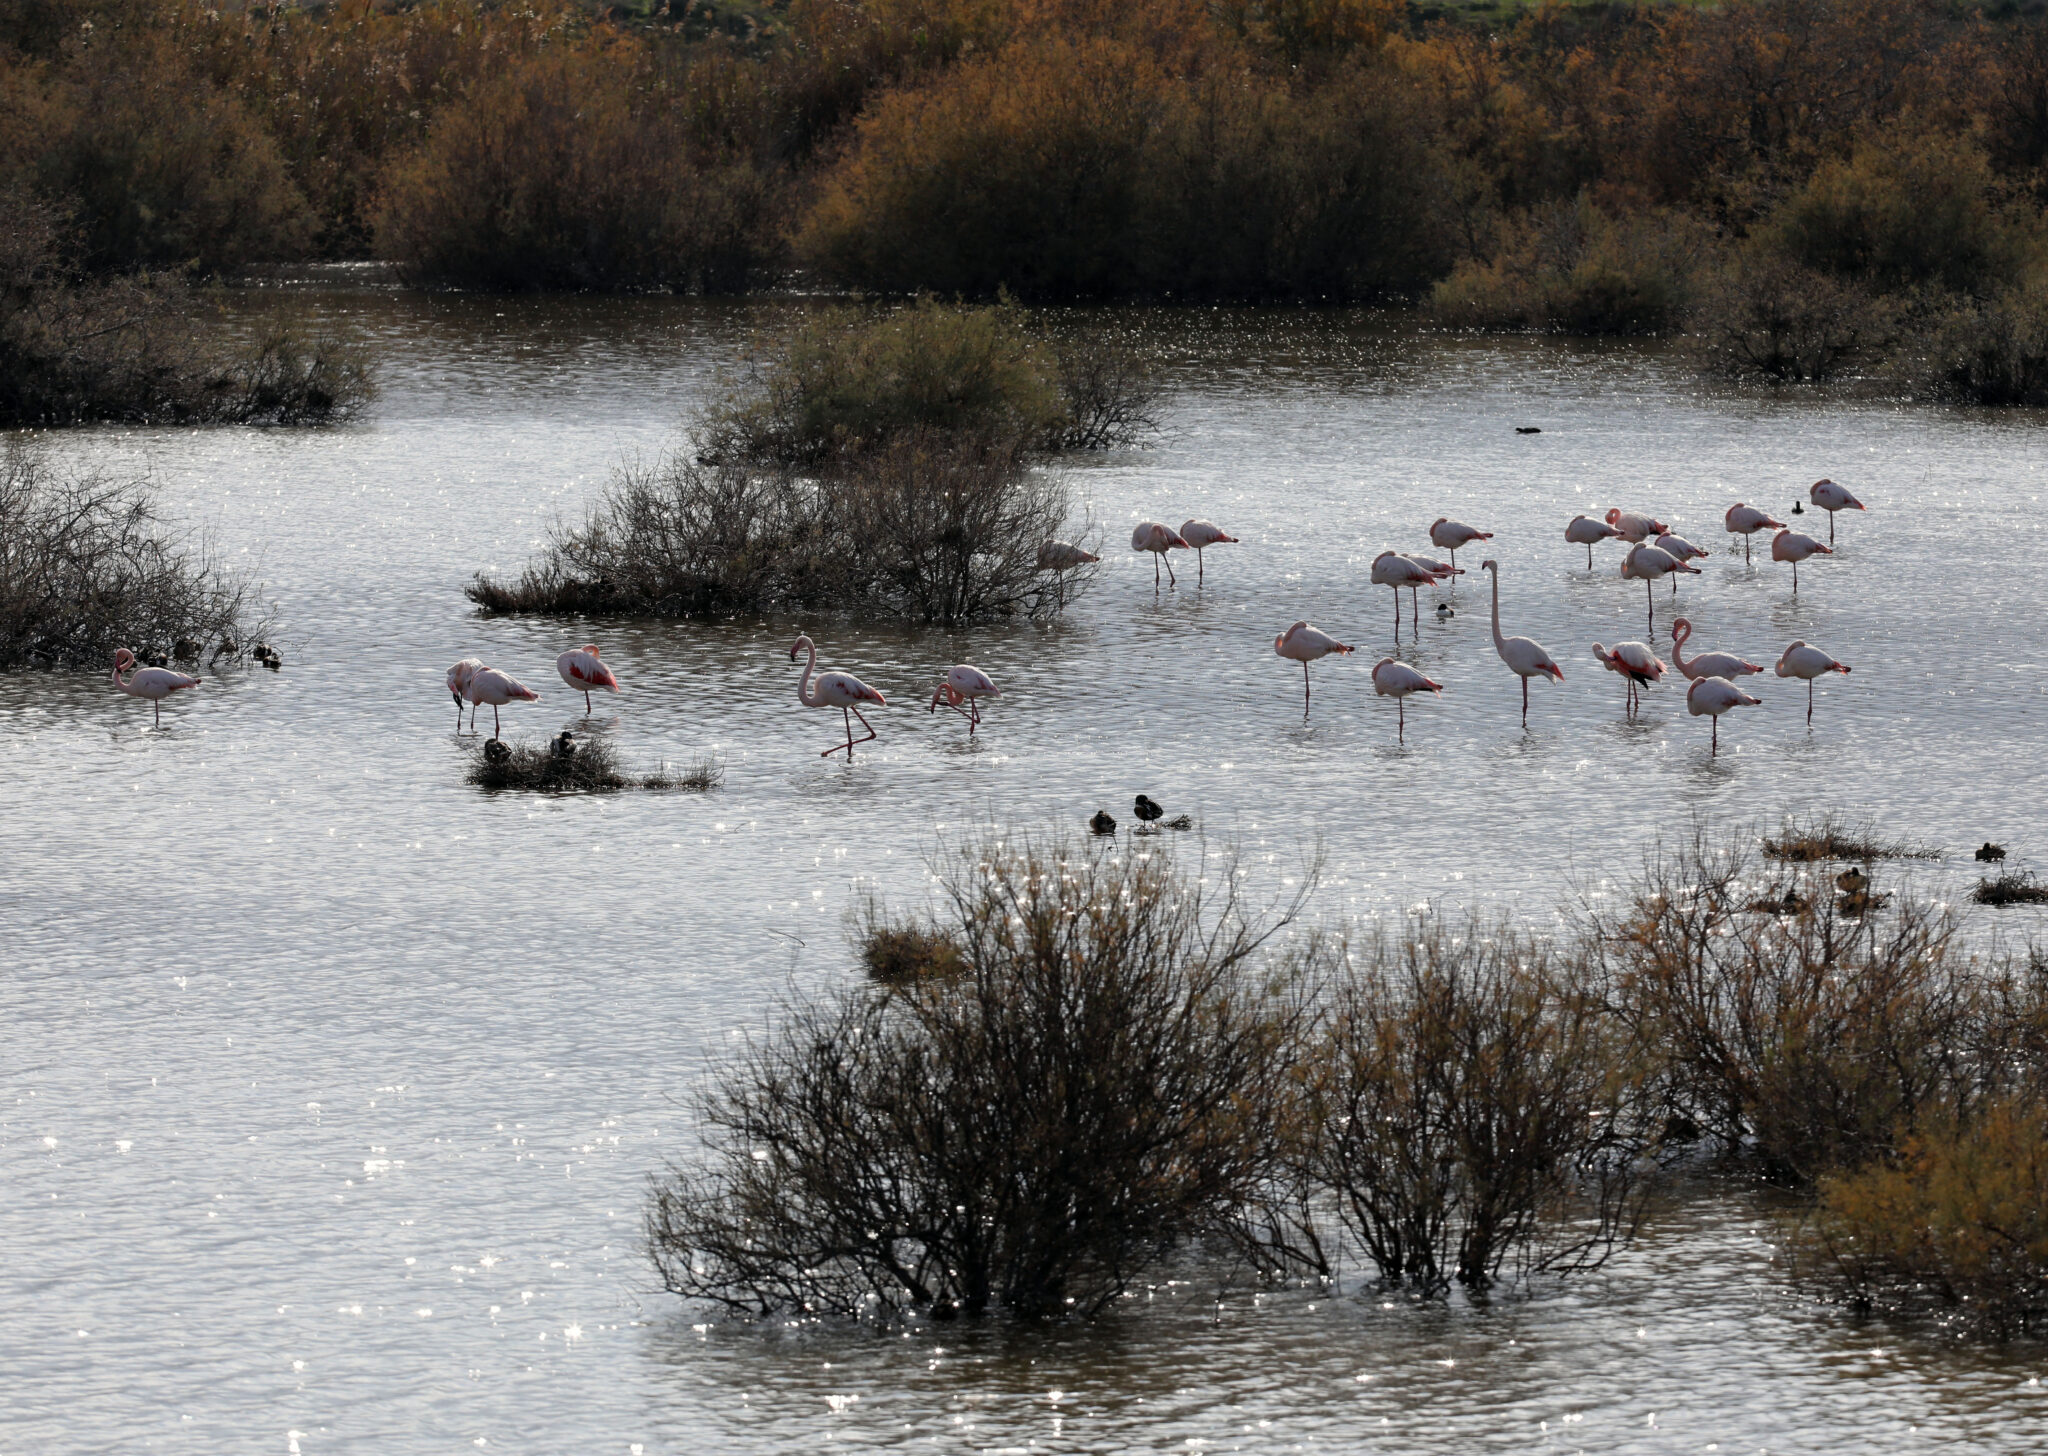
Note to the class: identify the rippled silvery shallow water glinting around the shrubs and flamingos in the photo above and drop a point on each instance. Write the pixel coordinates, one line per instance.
(331, 1084)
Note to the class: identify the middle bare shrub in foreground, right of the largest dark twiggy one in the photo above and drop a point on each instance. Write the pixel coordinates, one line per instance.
(1471, 1113)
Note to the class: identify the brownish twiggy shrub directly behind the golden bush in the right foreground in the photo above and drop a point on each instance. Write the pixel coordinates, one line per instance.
(1795, 1029)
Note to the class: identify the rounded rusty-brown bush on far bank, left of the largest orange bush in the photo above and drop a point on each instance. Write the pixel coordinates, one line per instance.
(566, 171)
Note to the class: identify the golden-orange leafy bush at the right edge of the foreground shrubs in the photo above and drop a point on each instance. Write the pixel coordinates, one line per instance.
(1957, 1222)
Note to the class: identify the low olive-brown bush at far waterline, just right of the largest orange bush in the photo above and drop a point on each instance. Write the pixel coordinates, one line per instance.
(1574, 269)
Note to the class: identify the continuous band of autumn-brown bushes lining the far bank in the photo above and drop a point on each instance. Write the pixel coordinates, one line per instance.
(1803, 189)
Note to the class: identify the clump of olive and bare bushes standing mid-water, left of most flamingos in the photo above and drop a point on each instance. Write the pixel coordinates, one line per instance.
(890, 460)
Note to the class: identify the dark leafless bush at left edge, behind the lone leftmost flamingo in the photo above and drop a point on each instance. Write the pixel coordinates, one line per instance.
(87, 566)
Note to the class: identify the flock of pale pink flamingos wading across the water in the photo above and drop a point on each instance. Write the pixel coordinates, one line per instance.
(1654, 554)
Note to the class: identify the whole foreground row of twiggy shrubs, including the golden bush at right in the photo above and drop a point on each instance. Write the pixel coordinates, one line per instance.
(1080, 1070)
